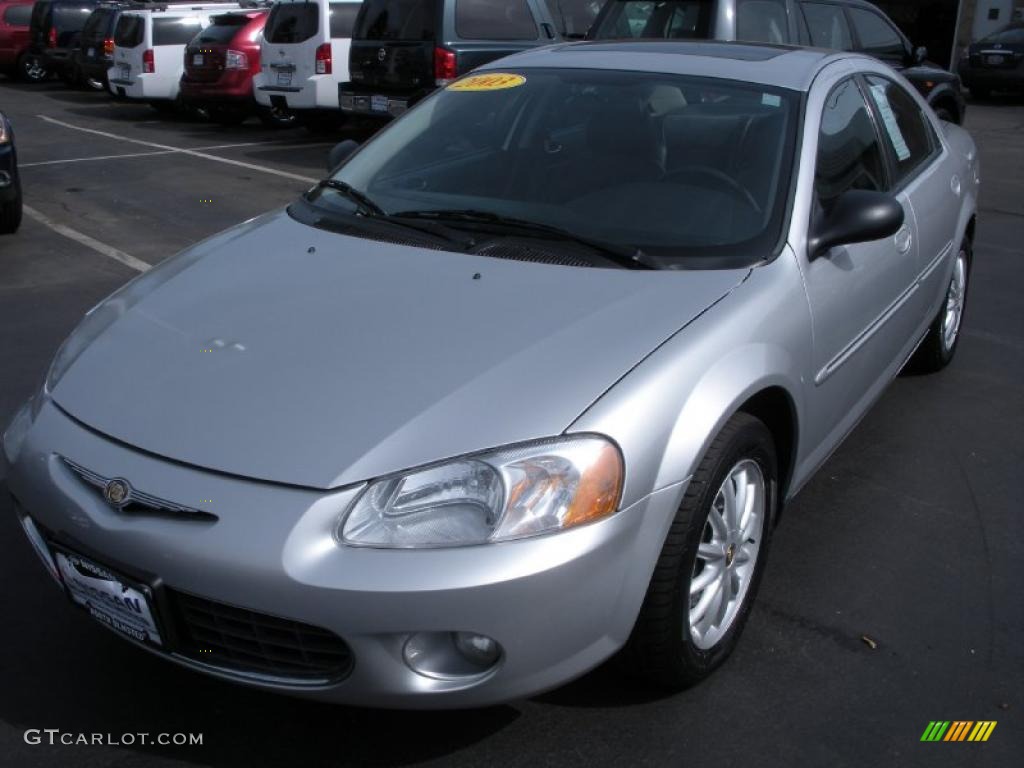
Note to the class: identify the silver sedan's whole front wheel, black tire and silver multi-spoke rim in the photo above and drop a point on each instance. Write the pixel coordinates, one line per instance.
(712, 563)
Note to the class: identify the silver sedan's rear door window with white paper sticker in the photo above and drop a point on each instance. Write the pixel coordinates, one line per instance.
(908, 133)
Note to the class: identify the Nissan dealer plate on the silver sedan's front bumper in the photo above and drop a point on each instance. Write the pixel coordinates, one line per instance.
(109, 599)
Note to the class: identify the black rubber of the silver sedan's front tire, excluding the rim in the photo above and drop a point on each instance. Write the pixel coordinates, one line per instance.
(662, 650)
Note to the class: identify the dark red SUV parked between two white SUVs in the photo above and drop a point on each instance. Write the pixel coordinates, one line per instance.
(221, 63)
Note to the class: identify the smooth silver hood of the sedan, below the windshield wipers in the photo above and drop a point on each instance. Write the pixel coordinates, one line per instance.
(283, 353)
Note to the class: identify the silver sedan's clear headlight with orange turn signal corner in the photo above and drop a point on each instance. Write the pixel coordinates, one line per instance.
(507, 494)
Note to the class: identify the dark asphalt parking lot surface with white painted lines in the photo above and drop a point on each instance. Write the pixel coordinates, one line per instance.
(892, 599)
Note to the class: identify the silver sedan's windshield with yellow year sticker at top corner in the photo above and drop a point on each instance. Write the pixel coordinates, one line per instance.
(676, 166)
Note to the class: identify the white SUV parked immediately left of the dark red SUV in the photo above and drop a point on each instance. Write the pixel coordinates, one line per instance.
(149, 50)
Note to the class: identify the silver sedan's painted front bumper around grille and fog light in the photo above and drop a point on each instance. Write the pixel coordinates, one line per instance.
(559, 605)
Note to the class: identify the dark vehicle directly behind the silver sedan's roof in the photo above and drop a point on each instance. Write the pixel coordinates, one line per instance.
(841, 25)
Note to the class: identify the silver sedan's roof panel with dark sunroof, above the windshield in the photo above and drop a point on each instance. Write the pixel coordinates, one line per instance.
(784, 66)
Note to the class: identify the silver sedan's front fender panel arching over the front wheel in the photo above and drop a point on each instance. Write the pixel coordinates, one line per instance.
(668, 410)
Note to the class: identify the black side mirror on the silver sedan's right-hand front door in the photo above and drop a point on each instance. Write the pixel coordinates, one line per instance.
(859, 217)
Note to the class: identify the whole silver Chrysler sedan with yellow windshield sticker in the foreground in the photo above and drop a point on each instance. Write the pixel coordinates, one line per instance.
(526, 382)
